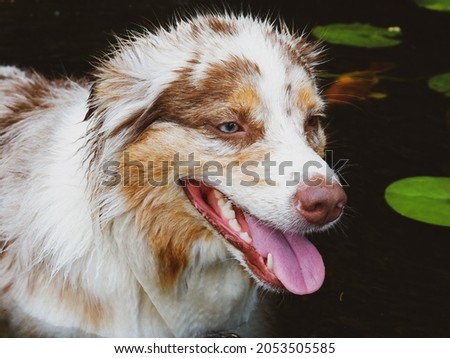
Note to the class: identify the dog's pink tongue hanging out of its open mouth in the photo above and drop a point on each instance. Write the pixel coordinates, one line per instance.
(296, 262)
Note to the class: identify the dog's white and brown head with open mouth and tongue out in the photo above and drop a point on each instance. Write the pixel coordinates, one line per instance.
(223, 115)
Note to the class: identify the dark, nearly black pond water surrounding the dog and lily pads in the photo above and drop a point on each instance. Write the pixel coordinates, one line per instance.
(387, 276)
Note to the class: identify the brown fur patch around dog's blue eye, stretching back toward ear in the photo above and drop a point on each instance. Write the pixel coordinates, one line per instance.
(208, 104)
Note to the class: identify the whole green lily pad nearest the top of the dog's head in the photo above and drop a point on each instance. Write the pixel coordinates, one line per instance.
(359, 35)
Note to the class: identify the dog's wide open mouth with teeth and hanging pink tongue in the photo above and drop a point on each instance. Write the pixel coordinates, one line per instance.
(279, 260)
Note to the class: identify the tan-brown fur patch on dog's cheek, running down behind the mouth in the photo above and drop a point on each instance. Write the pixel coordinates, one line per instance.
(161, 209)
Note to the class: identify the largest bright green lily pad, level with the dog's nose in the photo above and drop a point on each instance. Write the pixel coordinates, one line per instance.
(425, 199)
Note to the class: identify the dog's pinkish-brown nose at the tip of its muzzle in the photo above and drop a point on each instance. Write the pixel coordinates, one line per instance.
(320, 203)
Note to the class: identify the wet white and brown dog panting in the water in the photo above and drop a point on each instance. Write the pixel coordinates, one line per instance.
(160, 197)
